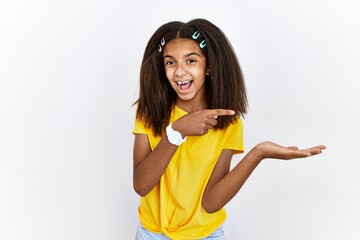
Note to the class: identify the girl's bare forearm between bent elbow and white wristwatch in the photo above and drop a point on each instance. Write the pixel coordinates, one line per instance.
(149, 171)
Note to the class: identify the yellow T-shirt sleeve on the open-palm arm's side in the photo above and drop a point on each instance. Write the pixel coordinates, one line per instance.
(235, 137)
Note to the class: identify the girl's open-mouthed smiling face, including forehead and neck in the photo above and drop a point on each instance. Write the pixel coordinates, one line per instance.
(185, 67)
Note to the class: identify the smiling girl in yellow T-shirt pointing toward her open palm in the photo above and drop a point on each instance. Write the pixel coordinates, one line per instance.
(187, 129)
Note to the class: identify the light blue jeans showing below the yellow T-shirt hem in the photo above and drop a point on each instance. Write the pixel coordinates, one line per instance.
(143, 234)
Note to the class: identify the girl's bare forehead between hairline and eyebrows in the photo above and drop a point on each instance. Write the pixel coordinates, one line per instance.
(182, 46)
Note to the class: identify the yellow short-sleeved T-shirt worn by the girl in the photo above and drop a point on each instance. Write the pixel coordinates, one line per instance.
(174, 207)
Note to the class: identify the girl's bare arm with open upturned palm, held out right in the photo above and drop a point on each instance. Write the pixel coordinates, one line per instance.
(223, 185)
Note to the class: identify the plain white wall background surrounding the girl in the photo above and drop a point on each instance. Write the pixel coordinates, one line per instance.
(69, 75)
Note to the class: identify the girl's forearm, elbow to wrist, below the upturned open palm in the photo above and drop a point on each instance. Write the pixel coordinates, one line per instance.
(224, 190)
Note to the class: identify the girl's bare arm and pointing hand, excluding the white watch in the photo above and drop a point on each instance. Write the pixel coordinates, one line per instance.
(150, 165)
